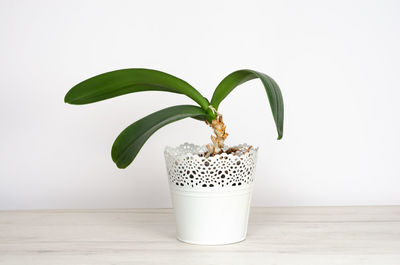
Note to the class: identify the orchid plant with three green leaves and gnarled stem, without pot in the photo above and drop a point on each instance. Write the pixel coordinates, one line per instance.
(131, 140)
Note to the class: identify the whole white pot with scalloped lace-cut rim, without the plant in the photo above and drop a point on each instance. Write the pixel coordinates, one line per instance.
(211, 196)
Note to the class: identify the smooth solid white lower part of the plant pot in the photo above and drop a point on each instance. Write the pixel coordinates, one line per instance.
(211, 217)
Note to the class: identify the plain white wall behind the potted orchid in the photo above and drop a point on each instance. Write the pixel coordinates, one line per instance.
(337, 63)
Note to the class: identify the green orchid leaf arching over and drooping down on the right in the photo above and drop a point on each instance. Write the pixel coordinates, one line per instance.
(271, 87)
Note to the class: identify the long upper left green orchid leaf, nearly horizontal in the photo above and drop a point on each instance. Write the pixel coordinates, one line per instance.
(120, 82)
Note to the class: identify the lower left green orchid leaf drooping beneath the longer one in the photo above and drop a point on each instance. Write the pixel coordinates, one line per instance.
(130, 141)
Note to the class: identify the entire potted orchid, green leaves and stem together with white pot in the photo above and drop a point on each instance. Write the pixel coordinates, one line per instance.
(210, 185)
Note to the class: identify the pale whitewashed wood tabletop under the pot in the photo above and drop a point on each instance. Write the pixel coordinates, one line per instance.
(300, 235)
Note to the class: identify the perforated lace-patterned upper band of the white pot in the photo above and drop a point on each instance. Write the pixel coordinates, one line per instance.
(187, 170)
